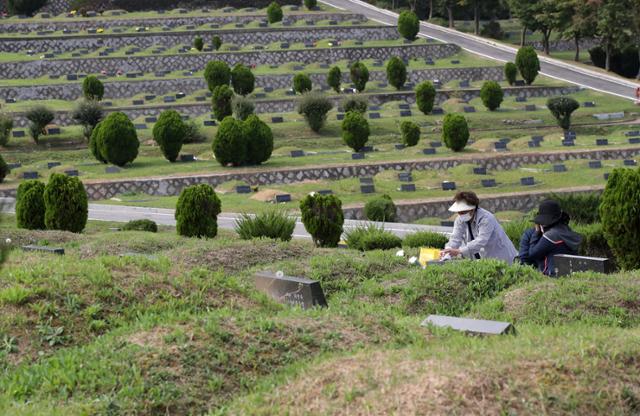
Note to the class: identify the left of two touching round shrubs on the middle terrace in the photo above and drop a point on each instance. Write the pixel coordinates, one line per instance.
(230, 143)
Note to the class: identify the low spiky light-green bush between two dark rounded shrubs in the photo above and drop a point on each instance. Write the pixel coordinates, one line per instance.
(275, 224)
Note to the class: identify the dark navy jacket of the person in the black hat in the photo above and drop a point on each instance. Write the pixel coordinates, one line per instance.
(539, 249)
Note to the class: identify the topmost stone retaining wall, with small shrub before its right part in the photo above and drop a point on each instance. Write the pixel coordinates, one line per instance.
(168, 21)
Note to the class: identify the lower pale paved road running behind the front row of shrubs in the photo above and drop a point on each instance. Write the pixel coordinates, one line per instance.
(124, 213)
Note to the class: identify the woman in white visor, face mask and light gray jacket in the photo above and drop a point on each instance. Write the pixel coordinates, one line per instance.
(476, 232)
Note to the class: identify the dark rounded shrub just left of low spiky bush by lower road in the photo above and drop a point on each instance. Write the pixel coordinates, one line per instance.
(197, 212)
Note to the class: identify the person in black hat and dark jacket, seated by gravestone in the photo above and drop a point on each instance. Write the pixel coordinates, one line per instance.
(550, 236)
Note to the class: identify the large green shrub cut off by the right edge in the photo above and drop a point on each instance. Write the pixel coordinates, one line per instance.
(620, 216)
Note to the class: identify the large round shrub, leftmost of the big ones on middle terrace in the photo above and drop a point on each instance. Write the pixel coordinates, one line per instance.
(114, 140)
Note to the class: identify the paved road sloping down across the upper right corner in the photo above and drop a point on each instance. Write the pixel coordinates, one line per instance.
(551, 67)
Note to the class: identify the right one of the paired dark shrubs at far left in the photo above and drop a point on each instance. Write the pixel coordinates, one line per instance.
(66, 205)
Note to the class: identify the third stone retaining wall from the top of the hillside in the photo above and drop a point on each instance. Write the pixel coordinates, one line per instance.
(197, 61)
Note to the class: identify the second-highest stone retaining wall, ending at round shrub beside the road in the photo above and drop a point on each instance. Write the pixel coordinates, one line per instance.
(240, 37)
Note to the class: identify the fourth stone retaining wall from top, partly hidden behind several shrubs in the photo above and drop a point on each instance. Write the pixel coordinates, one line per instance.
(125, 88)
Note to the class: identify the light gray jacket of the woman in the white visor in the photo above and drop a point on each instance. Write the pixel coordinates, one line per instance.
(490, 240)
